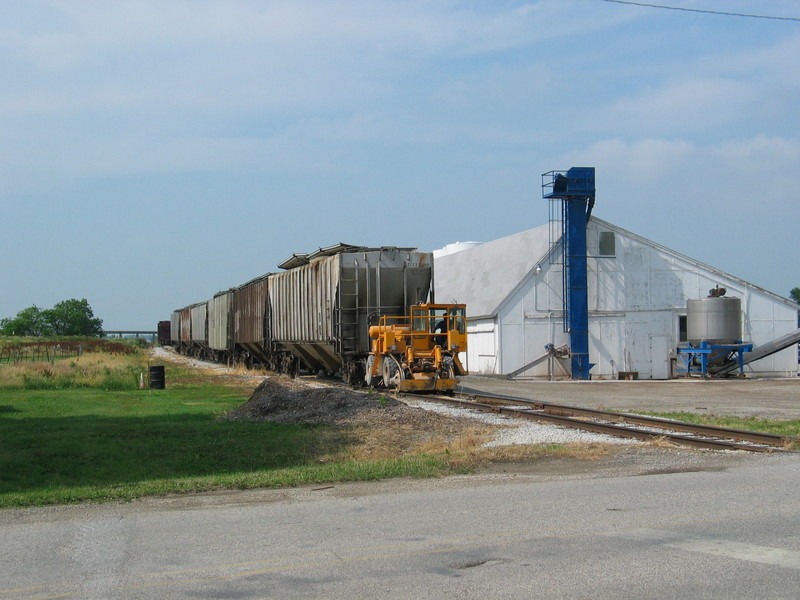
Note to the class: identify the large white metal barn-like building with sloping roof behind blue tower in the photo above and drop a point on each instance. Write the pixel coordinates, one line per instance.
(637, 305)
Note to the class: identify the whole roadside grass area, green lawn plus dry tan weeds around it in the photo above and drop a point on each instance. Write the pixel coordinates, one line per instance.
(82, 430)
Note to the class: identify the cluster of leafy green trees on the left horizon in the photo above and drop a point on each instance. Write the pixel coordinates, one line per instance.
(68, 317)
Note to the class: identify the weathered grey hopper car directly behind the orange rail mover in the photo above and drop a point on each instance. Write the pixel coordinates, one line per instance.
(323, 304)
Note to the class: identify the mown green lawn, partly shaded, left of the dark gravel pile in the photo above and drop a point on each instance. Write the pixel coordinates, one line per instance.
(71, 445)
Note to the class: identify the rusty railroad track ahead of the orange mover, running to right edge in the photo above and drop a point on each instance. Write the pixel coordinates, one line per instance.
(623, 424)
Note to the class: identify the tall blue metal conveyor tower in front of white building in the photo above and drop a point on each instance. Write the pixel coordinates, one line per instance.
(575, 188)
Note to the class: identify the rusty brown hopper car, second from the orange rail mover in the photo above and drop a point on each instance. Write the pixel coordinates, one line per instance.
(250, 322)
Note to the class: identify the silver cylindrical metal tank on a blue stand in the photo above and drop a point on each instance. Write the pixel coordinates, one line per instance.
(716, 320)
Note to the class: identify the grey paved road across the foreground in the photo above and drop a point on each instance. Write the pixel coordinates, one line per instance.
(725, 533)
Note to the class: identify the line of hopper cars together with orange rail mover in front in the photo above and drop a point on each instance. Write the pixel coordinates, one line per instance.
(365, 314)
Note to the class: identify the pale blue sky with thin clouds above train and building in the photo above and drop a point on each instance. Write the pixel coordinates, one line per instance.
(154, 153)
